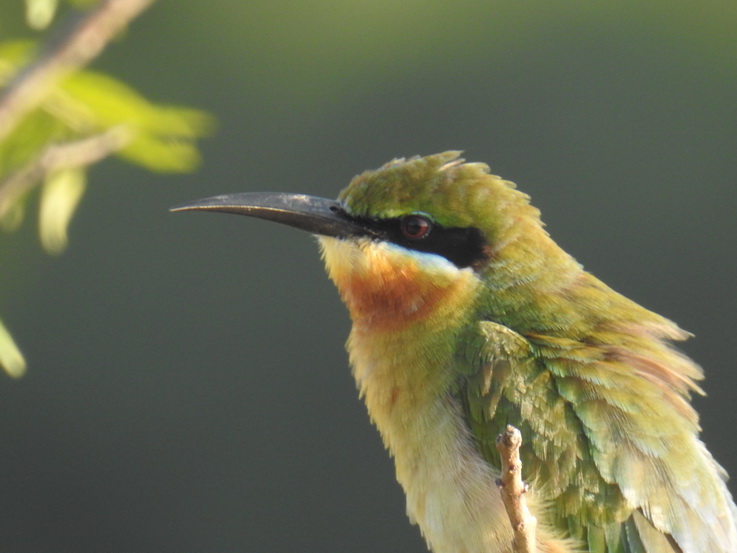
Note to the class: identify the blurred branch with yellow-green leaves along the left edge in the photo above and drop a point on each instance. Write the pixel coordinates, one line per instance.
(57, 119)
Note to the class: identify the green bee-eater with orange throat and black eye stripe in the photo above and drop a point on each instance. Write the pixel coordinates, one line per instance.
(466, 318)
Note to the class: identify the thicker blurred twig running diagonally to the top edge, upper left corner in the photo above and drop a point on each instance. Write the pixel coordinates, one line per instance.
(86, 36)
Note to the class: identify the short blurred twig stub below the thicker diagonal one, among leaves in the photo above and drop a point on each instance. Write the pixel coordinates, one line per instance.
(55, 157)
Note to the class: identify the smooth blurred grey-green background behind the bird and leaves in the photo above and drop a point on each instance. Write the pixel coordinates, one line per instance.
(188, 389)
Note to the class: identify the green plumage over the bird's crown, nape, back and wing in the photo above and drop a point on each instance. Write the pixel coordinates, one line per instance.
(588, 376)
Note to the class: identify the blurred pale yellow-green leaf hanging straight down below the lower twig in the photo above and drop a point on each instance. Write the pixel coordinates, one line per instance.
(60, 196)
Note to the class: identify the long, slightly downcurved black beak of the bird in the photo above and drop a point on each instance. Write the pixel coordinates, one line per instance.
(315, 215)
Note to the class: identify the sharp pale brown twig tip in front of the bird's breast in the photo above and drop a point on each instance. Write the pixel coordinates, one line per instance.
(512, 490)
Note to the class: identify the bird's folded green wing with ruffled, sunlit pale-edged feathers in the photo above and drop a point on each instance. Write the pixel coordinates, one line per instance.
(611, 440)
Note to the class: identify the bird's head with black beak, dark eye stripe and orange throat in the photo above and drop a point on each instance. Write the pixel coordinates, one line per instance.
(411, 236)
